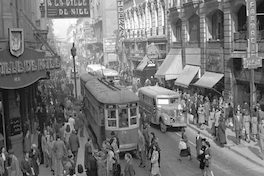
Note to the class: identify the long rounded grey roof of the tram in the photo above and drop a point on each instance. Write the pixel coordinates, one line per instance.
(105, 94)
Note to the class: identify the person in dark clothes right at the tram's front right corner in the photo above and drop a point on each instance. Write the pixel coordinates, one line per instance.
(142, 149)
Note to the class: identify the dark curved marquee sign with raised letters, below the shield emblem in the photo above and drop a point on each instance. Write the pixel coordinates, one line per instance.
(26, 69)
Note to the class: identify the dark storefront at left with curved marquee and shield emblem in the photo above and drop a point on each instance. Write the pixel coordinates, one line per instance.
(20, 69)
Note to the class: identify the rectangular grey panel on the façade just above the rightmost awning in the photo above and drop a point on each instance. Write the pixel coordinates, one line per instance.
(215, 61)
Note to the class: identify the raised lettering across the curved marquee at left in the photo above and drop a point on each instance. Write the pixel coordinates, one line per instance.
(16, 67)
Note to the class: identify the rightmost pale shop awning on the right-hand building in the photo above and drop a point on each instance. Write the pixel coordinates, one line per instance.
(209, 79)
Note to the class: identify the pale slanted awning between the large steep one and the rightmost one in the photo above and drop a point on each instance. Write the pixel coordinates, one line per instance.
(187, 75)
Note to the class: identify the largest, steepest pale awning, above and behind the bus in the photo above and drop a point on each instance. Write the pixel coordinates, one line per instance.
(171, 67)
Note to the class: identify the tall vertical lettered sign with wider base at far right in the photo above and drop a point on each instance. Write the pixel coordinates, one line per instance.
(252, 61)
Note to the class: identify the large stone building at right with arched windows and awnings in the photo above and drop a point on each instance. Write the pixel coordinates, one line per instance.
(211, 36)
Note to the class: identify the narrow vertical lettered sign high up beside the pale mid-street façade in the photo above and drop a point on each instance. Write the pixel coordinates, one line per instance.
(121, 20)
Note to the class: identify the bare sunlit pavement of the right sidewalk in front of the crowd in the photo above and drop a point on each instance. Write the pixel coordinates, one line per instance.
(250, 151)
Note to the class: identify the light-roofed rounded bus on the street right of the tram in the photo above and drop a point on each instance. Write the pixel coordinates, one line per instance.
(162, 107)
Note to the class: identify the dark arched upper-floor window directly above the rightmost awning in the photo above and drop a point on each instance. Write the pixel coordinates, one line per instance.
(218, 25)
